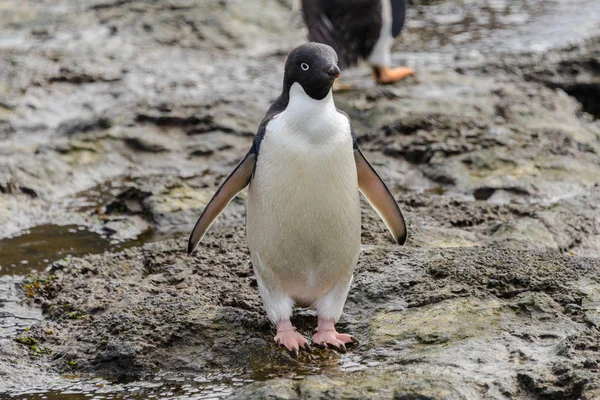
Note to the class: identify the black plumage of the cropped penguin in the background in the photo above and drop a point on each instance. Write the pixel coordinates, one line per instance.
(351, 27)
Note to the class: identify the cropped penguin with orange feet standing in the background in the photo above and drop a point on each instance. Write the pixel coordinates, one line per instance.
(359, 30)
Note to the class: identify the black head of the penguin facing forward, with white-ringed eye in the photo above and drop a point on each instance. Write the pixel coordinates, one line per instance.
(314, 67)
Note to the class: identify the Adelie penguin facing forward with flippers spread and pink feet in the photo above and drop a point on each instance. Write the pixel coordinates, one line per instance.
(304, 172)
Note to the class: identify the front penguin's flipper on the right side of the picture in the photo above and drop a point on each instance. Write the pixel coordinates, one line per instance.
(373, 188)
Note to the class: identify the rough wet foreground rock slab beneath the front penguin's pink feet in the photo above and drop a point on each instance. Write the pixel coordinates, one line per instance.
(462, 322)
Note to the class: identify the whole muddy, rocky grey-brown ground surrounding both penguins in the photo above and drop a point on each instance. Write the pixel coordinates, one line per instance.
(119, 119)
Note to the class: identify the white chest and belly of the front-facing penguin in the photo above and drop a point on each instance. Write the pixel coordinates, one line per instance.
(303, 218)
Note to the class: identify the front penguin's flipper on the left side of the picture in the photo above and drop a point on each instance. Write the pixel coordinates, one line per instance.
(235, 183)
